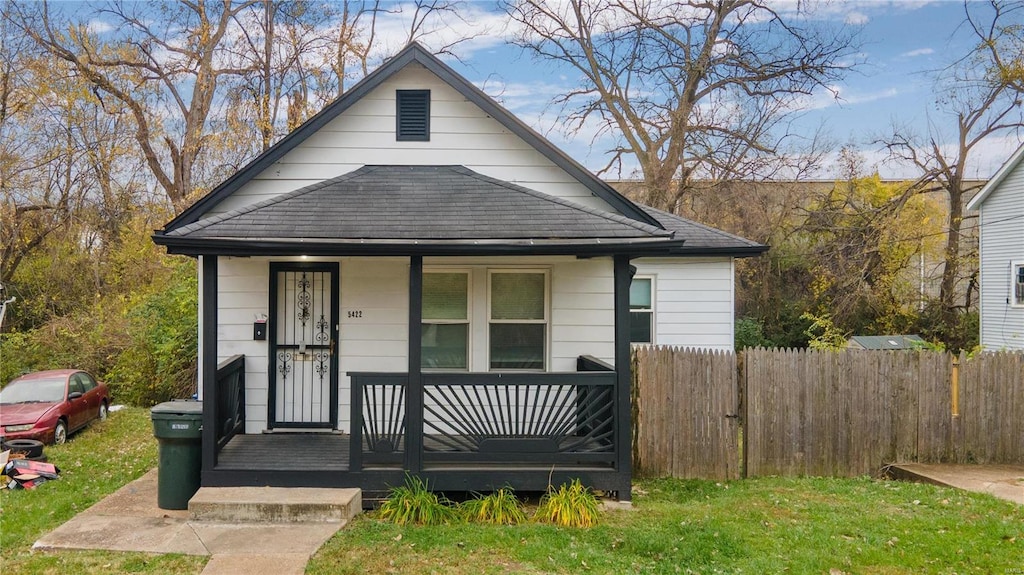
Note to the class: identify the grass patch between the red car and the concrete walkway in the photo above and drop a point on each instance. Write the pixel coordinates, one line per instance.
(95, 464)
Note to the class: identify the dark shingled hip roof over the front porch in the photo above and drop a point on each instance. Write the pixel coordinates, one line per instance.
(417, 203)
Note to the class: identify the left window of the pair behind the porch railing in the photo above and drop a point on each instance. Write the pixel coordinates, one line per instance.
(446, 321)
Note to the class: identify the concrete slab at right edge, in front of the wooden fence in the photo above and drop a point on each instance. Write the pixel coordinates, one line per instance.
(1005, 482)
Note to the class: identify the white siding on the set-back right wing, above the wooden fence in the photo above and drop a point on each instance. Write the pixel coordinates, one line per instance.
(694, 301)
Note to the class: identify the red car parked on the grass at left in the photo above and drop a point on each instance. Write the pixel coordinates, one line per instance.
(50, 406)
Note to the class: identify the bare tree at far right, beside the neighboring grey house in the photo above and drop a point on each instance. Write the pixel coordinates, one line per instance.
(977, 99)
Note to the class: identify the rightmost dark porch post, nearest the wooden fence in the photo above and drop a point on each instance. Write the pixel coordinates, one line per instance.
(624, 379)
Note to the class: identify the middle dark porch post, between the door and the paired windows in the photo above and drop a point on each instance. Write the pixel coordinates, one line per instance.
(414, 391)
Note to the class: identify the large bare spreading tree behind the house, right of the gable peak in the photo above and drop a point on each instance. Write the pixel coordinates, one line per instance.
(692, 90)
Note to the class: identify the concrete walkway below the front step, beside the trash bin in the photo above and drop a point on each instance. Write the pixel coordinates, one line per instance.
(131, 521)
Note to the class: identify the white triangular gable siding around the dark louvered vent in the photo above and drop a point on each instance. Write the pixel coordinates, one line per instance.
(460, 135)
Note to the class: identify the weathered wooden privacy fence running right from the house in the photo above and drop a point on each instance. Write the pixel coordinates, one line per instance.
(823, 414)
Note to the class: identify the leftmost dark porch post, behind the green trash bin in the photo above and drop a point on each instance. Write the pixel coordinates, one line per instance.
(208, 362)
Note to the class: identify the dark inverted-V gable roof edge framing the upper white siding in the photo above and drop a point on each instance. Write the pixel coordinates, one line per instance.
(412, 54)
